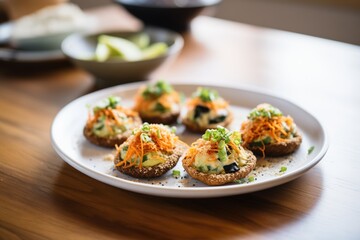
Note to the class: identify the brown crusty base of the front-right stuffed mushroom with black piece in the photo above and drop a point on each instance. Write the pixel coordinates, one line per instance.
(221, 179)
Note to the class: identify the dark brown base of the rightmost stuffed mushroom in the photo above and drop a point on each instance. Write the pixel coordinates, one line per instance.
(279, 149)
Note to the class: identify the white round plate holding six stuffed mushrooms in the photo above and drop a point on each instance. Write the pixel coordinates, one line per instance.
(69, 143)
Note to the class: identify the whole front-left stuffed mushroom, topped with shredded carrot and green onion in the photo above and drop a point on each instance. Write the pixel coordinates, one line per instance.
(151, 151)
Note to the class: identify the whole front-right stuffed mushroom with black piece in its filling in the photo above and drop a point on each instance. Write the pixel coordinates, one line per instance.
(218, 158)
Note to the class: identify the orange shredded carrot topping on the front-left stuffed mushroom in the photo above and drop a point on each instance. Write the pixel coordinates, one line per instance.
(134, 156)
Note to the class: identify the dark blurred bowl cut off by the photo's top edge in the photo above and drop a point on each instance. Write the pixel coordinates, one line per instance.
(172, 14)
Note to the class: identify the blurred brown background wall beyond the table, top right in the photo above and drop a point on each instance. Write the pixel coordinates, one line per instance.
(333, 19)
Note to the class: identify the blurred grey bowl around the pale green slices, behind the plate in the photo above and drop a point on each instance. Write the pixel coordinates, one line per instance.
(80, 49)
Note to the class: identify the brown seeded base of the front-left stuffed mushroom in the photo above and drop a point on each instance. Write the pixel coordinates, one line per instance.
(157, 170)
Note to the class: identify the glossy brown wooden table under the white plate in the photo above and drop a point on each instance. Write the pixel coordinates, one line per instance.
(42, 197)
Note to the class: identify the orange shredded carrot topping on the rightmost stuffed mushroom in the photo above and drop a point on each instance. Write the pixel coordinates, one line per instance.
(261, 127)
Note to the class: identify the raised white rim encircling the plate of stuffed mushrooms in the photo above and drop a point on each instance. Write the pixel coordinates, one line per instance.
(199, 192)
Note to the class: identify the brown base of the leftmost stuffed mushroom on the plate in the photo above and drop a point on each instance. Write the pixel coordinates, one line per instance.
(109, 142)
